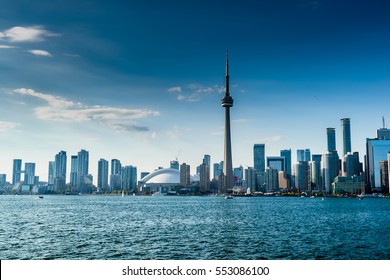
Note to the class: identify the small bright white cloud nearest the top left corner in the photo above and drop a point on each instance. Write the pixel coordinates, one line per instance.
(26, 34)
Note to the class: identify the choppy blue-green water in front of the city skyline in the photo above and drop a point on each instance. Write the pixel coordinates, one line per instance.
(108, 227)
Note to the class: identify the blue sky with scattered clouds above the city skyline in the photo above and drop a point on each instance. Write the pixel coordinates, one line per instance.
(142, 81)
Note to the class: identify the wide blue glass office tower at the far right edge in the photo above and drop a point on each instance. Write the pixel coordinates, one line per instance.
(377, 150)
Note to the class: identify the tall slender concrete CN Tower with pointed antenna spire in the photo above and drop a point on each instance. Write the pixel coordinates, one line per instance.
(227, 102)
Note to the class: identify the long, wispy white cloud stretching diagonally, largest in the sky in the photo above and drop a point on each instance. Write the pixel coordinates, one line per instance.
(61, 109)
